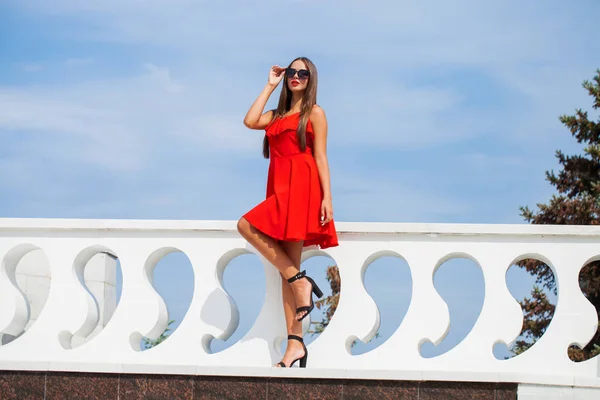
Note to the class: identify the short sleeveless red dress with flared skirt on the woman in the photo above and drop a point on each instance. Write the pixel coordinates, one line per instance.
(292, 209)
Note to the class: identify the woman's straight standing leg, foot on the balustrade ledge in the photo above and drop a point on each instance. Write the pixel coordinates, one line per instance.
(294, 327)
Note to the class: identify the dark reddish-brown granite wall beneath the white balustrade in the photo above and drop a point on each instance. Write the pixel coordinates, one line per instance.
(58, 385)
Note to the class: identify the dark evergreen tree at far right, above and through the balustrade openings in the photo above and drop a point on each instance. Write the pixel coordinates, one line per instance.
(577, 203)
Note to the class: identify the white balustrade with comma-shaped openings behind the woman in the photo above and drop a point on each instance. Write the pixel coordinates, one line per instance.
(71, 311)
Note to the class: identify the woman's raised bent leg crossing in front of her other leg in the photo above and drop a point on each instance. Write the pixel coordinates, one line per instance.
(275, 254)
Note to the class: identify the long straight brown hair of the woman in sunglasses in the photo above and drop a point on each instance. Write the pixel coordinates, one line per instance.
(309, 99)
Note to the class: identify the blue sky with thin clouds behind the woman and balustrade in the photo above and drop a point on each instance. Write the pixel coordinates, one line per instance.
(438, 111)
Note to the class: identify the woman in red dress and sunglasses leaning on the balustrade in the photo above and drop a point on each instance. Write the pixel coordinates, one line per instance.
(297, 211)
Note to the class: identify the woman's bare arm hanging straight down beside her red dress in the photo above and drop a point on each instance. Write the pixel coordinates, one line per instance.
(319, 124)
